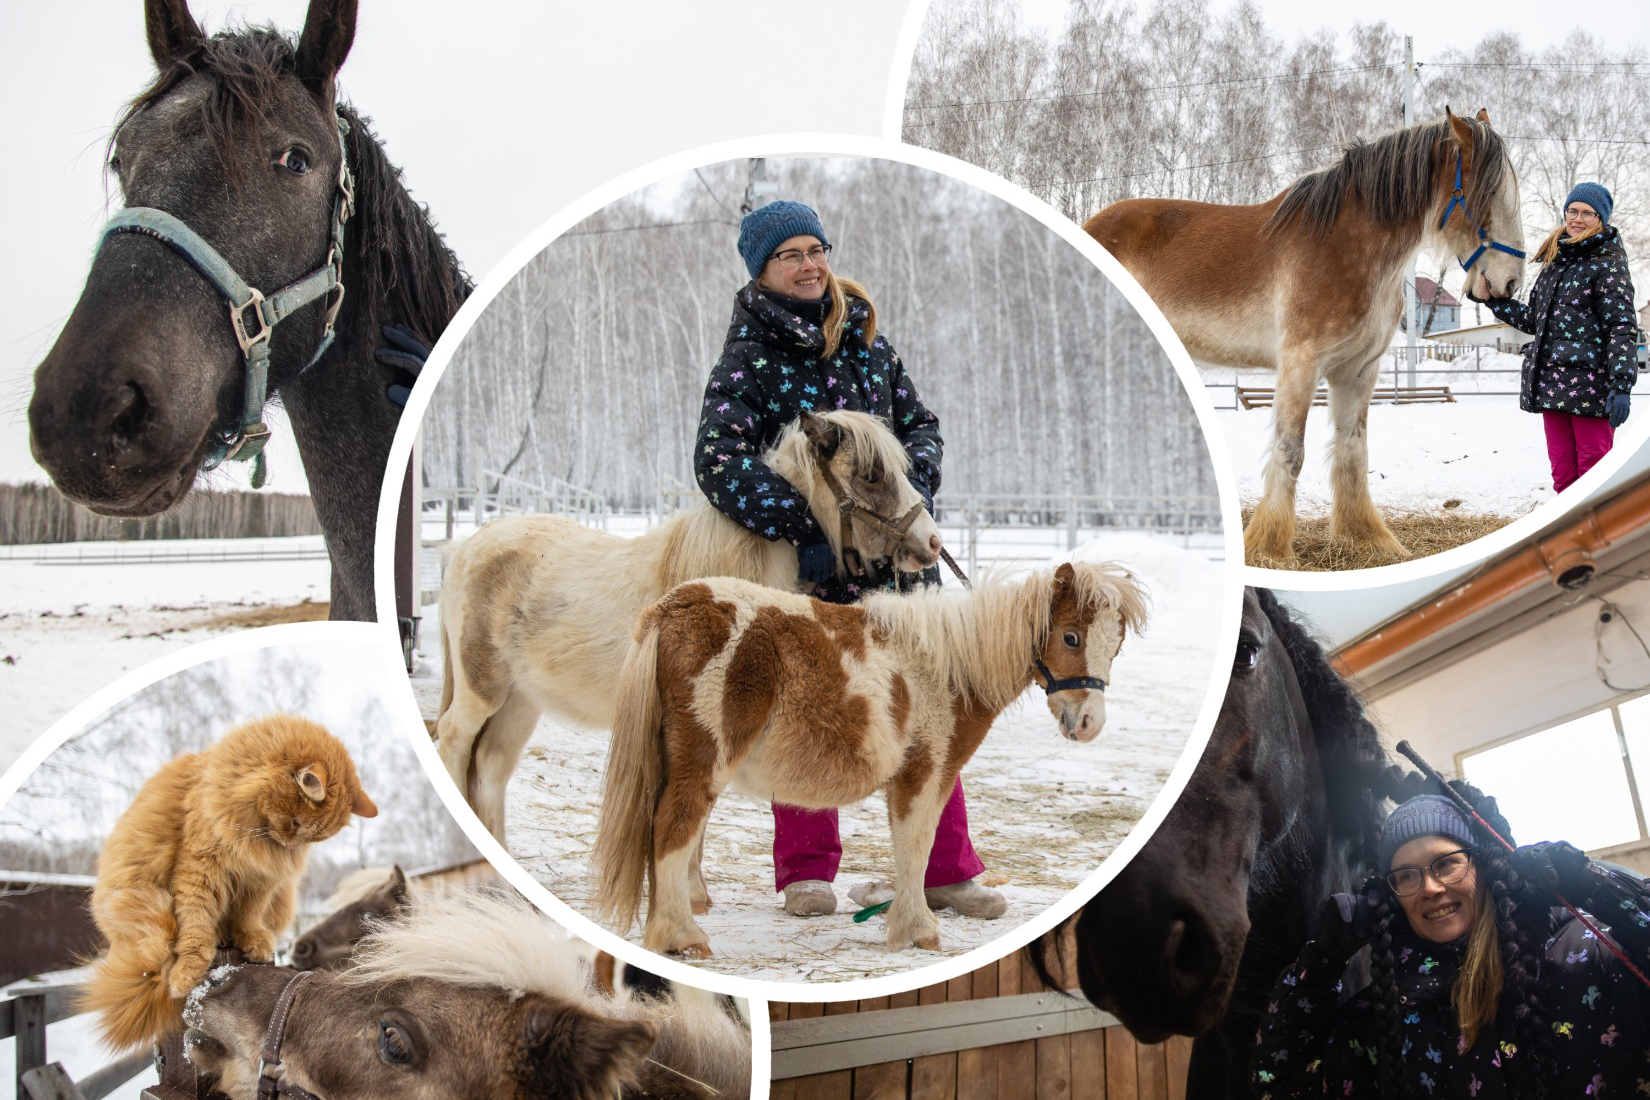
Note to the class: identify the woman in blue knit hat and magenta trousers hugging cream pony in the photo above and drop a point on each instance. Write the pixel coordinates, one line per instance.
(806, 339)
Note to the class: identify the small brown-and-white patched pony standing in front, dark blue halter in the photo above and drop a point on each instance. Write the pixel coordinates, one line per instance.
(819, 705)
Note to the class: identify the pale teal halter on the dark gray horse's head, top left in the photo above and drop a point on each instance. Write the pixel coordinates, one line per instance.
(253, 316)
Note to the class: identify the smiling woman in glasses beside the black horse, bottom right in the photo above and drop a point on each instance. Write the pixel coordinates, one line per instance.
(1481, 989)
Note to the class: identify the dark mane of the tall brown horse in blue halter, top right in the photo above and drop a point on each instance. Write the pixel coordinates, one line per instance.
(1393, 176)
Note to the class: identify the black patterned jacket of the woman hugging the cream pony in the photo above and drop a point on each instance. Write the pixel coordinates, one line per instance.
(768, 374)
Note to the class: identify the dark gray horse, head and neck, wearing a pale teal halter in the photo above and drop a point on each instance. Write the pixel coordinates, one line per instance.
(230, 167)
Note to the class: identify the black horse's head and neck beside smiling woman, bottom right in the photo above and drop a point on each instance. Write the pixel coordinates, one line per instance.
(1283, 811)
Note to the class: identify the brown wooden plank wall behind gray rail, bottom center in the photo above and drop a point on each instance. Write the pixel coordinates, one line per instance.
(1103, 1065)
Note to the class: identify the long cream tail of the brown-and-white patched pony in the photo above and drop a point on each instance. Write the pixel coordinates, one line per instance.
(636, 769)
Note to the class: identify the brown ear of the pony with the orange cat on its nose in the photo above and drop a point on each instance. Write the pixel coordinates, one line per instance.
(573, 1053)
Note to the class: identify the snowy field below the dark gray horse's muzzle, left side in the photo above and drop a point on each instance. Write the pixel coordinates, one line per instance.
(70, 626)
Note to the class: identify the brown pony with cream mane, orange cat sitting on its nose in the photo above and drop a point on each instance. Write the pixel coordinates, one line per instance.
(463, 997)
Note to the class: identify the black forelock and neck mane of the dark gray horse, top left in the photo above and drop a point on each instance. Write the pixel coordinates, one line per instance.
(395, 260)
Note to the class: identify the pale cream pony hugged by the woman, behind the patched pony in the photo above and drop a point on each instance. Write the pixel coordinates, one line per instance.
(537, 611)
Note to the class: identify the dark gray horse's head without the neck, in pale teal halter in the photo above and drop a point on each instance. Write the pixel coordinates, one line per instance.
(238, 141)
